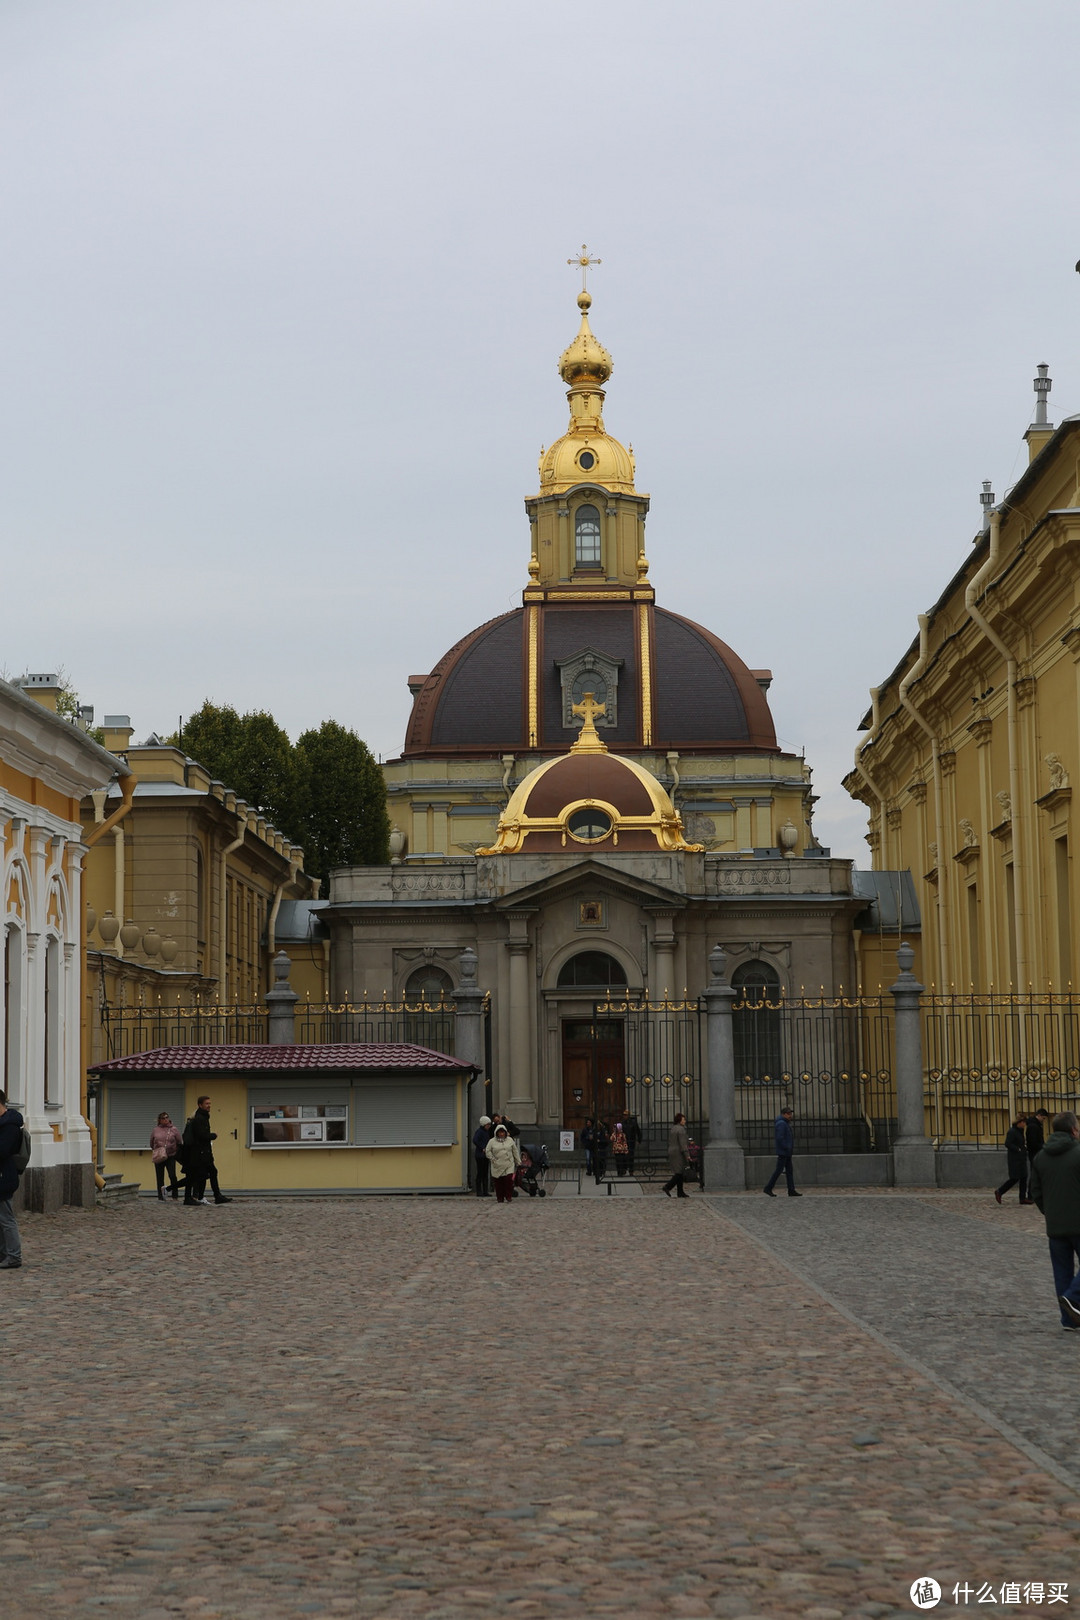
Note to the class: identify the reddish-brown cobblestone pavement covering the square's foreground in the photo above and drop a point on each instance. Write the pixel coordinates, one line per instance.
(448, 1409)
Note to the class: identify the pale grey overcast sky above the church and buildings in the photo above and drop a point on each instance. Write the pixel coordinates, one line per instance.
(284, 288)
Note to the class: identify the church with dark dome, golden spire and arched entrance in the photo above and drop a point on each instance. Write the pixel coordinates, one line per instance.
(590, 798)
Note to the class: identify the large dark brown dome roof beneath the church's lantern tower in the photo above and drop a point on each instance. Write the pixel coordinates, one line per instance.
(704, 696)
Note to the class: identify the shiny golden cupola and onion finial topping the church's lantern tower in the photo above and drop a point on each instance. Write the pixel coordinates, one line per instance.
(587, 453)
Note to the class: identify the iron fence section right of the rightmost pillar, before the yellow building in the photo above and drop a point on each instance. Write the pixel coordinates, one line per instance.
(997, 1055)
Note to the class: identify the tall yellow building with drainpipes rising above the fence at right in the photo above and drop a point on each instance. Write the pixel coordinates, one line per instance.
(974, 740)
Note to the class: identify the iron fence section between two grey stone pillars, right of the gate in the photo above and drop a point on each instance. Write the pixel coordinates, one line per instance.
(830, 1059)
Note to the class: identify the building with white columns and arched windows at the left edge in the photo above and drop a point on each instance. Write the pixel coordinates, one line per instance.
(48, 765)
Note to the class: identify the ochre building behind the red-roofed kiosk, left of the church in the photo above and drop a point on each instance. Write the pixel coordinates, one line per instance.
(185, 892)
